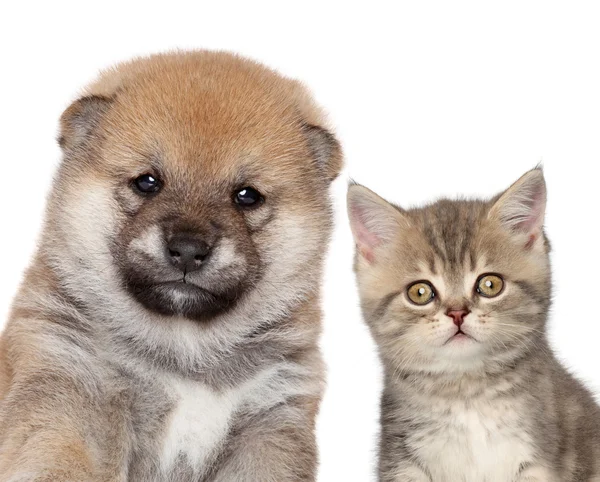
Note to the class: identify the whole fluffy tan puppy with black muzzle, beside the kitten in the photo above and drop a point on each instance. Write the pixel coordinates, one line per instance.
(167, 327)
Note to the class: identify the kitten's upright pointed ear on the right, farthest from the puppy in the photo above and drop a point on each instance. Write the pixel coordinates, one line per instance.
(521, 208)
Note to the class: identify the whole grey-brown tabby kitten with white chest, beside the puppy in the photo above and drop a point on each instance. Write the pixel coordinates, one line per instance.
(456, 295)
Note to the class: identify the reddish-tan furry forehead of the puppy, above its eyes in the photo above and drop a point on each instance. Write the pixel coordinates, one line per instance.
(207, 112)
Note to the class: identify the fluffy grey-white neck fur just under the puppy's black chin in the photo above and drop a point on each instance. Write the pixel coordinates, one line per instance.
(221, 353)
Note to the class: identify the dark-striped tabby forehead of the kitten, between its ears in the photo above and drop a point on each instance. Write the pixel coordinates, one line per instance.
(451, 231)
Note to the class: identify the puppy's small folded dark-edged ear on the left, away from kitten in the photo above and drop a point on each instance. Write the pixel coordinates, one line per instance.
(81, 118)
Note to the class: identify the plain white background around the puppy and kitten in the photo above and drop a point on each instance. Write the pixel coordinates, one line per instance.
(428, 99)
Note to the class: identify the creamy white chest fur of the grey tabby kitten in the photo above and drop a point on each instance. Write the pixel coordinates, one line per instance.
(483, 441)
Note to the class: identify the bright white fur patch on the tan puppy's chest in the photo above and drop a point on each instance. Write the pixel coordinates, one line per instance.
(200, 421)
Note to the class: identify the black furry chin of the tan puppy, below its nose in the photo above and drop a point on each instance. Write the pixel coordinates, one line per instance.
(176, 298)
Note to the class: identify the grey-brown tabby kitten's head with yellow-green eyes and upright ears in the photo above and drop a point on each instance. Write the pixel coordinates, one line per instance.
(457, 285)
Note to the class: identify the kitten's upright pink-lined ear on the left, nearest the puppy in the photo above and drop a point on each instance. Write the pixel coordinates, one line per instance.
(373, 220)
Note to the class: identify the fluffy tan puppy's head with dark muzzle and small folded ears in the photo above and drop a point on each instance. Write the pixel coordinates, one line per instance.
(190, 180)
